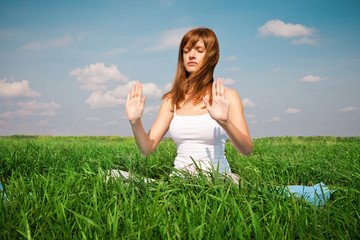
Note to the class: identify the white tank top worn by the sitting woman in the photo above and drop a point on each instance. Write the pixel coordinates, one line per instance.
(199, 138)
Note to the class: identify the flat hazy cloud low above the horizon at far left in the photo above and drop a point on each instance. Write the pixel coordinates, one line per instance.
(33, 108)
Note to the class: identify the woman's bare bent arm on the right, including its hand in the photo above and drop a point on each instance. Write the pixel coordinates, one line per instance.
(227, 110)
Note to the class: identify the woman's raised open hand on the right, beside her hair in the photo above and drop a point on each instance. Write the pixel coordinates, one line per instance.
(219, 110)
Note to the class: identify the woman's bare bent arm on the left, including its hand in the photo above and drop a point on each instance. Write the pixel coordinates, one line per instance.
(135, 103)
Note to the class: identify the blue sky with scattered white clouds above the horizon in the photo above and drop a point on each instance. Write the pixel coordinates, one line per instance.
(66, 66)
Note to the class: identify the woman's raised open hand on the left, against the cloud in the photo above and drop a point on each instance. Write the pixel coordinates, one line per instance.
(135, 103)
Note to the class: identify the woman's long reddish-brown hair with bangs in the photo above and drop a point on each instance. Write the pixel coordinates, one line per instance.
(199, 83)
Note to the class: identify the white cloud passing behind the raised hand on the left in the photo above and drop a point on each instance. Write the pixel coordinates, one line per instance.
(118, 96)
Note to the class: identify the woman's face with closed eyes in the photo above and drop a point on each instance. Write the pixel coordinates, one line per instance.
(193, 56)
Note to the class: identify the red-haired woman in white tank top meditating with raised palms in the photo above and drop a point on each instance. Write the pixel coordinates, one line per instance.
(199, 113)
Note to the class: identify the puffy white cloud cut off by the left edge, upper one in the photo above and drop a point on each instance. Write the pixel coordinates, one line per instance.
(16, 89)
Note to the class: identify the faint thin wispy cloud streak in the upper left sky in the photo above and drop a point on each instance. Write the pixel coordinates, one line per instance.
(60, 42)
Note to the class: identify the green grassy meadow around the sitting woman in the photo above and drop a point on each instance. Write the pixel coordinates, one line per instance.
(56, 188)
